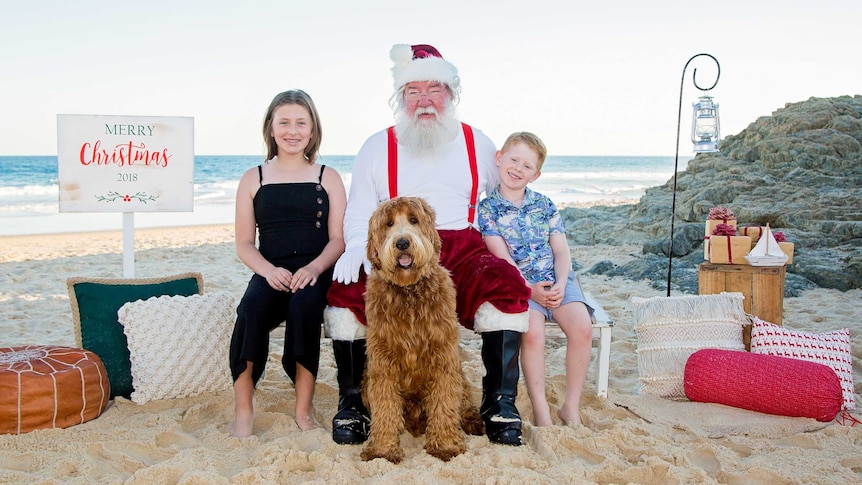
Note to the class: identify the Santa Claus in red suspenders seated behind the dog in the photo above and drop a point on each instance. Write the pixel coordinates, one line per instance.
(428, 153)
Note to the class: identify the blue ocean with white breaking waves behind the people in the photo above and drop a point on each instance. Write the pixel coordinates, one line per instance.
(29, 192)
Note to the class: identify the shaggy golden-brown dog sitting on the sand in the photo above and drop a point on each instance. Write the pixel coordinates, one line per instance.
(413, 376)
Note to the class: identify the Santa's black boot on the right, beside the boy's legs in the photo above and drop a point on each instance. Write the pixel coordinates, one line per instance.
(500, 352)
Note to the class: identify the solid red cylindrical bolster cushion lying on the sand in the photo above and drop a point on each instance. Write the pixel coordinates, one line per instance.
(763, 383)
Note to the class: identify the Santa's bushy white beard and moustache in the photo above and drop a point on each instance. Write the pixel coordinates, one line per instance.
(425, 137)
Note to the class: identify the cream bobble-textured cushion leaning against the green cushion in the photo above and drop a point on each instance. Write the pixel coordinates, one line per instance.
(178, 344)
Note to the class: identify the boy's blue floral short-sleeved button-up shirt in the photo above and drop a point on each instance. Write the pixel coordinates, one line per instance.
(526, 230)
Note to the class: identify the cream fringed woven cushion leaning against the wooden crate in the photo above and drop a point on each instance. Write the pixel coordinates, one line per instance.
(670, 329)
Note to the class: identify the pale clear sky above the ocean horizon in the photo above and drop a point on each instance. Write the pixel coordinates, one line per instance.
(590, 78)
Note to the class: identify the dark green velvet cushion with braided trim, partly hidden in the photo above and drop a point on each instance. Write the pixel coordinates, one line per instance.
(95, 302)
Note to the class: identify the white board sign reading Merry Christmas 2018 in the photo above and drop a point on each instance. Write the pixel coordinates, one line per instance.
(125, 163)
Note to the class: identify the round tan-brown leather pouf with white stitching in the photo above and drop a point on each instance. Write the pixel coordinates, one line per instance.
(45, 386)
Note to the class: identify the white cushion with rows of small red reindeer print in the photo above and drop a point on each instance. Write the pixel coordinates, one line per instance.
(829, 348)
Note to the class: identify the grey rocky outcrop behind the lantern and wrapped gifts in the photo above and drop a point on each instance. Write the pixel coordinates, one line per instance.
(798, 170)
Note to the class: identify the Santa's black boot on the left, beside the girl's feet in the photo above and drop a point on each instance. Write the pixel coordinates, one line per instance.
(352, 422)
